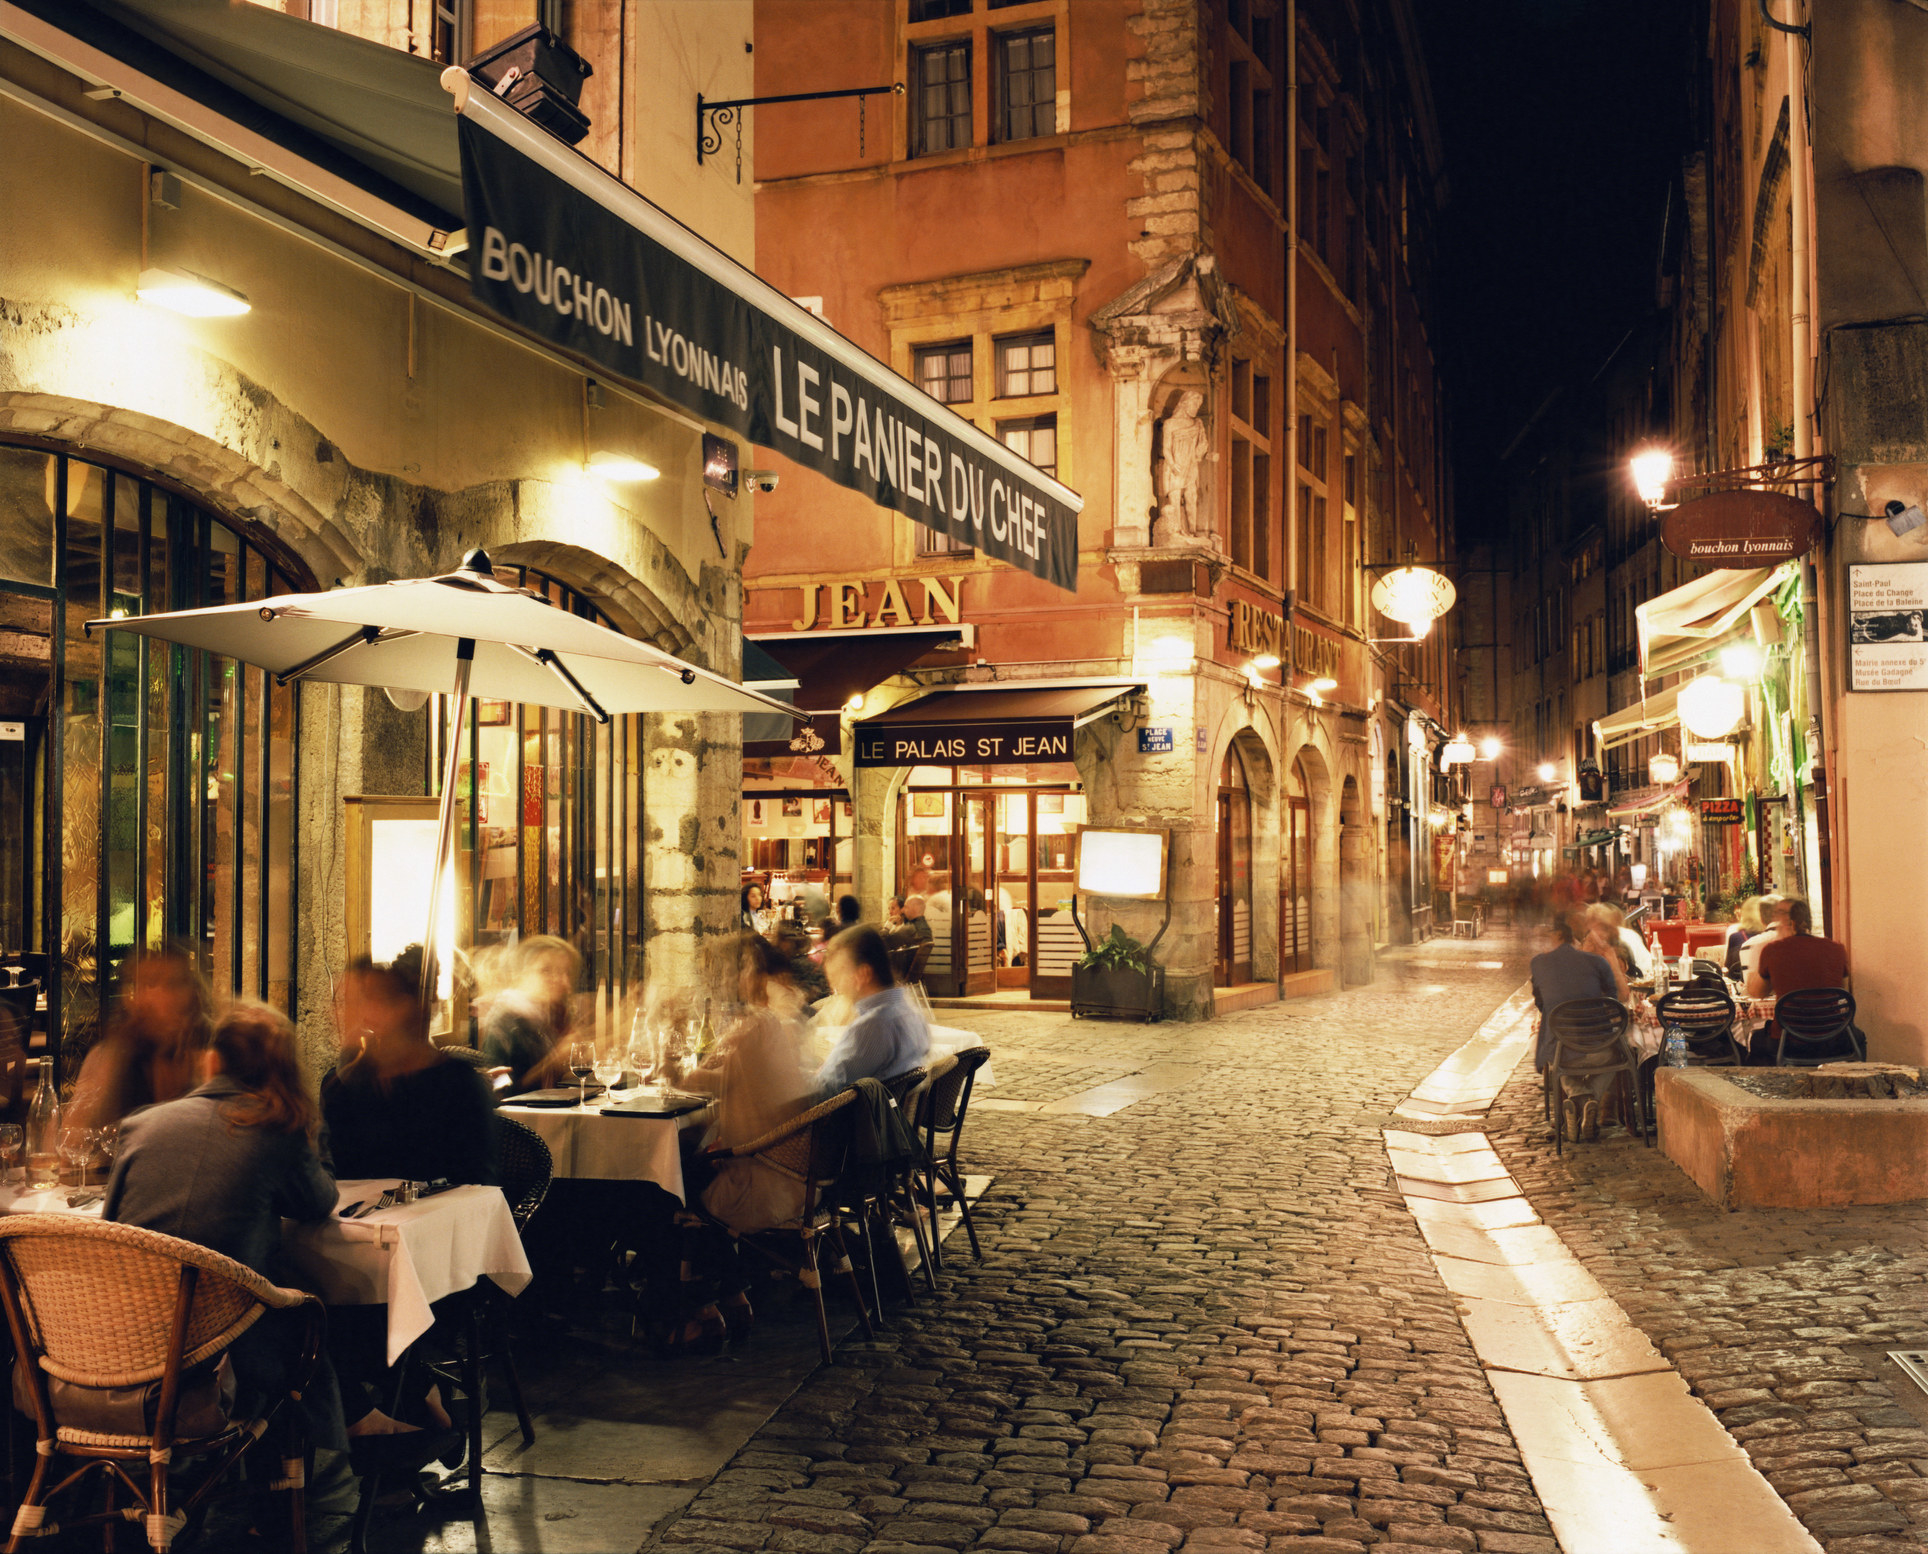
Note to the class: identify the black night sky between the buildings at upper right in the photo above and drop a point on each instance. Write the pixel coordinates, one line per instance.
(1565, 124)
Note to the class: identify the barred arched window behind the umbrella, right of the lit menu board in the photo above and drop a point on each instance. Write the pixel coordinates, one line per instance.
(550, 824)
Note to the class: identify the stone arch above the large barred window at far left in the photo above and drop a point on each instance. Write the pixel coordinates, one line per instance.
(201, 468)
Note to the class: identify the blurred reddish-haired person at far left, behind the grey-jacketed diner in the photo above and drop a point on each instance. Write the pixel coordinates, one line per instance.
(153, 1046)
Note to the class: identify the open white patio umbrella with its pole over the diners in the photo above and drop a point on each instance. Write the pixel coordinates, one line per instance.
(462, 633)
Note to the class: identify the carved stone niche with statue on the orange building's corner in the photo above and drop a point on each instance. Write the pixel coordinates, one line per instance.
(1162, 342)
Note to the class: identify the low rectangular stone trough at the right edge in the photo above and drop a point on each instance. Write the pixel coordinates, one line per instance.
(1761, 1152)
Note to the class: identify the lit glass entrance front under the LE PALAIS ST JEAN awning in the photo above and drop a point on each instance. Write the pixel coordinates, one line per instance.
(992, 853)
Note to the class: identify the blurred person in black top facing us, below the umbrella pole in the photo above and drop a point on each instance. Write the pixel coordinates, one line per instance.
(396, 1106)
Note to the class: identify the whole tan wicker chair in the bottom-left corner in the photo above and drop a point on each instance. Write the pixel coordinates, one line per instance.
(97, 1306)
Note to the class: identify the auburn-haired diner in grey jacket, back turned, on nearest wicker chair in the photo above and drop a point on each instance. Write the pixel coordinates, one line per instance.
(223, 1167)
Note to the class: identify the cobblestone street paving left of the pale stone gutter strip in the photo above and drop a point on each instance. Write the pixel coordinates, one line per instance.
(1204, 1322)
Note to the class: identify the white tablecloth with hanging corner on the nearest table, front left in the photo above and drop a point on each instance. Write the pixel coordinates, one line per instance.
(410, 1256)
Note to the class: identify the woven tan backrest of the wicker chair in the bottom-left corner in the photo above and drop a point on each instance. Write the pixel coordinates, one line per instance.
(99, 1299)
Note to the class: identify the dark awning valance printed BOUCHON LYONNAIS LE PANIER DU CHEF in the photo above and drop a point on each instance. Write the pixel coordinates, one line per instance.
(587, 263)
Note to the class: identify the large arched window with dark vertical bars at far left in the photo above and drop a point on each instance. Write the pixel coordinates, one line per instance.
(147, 791)
